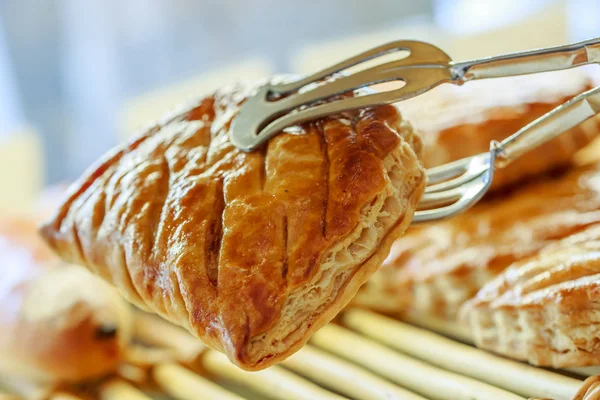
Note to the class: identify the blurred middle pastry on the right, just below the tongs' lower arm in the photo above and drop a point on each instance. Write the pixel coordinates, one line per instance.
(433, 269)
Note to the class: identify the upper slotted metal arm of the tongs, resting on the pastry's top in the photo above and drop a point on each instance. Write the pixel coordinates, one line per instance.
(277, 106)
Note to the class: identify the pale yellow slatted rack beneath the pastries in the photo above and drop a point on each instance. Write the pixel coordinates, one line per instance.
(363, 356)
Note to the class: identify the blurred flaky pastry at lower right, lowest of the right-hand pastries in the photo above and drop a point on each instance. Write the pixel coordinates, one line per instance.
(544, 309)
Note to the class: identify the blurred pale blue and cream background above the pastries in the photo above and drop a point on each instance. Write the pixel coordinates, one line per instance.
(79, 76)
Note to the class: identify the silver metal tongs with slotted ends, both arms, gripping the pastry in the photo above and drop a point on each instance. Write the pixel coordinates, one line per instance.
(453, 187)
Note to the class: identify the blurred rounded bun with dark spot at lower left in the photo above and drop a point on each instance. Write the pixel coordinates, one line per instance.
(57, 323)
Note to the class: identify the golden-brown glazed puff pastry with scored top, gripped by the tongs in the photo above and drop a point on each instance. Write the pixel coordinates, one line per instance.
(252, 252)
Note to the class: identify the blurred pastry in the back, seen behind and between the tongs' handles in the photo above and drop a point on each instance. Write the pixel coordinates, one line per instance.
(458, 122)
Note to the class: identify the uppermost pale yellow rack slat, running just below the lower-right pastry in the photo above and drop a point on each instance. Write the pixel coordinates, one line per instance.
(466, 360)
